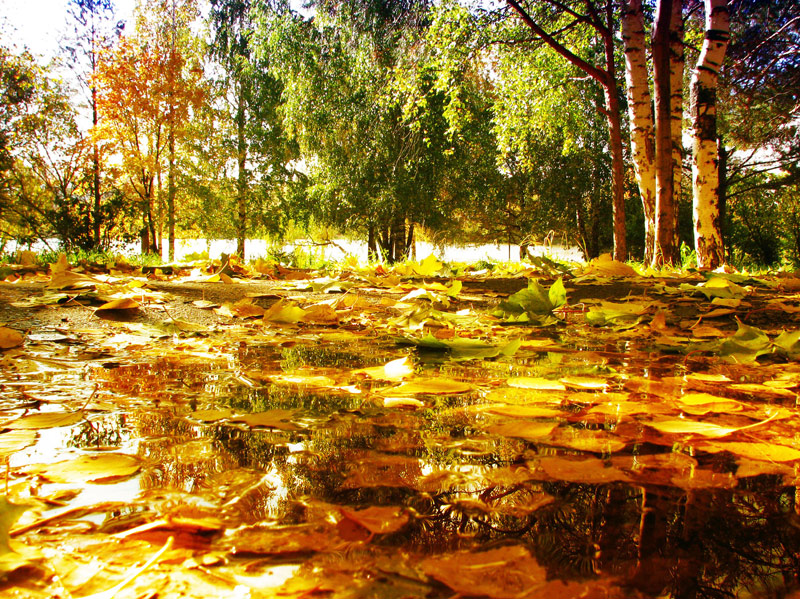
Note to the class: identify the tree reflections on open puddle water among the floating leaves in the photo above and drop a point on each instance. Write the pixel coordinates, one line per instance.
(655, 520)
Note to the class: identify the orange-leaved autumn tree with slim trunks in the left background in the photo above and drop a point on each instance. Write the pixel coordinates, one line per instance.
(147, 88)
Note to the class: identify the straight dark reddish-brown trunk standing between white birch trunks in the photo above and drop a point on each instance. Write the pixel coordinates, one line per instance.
(665, 250)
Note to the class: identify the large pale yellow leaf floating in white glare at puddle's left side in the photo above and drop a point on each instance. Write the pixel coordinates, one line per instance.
(97, 468)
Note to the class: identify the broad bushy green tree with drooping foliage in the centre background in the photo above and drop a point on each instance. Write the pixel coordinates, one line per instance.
(378, 153)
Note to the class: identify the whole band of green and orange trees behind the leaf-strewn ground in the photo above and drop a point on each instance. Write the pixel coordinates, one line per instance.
(390, 121)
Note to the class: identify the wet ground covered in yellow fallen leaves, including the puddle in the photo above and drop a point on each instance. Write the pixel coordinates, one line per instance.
(426, 430)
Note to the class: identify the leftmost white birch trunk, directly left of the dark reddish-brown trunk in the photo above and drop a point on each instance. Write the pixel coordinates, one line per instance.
(640, 110)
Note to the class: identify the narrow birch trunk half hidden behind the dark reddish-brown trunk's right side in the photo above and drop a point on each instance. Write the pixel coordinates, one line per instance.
(676, 62)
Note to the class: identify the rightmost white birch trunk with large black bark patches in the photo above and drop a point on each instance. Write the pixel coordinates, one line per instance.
(705, 173)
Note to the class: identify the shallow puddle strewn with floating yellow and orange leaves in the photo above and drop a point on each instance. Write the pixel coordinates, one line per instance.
(569, 459)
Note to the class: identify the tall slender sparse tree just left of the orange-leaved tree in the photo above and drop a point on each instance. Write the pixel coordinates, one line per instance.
(94, 32)
